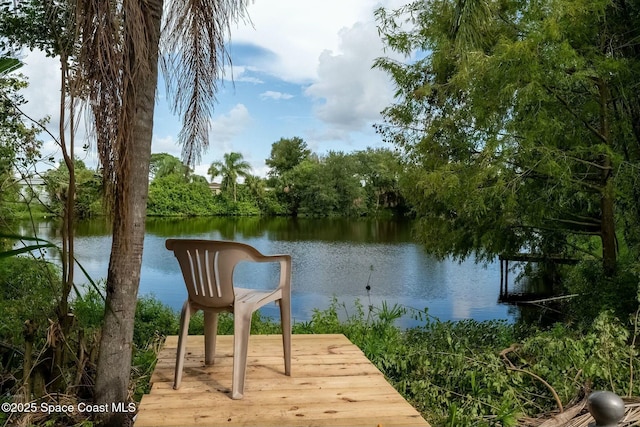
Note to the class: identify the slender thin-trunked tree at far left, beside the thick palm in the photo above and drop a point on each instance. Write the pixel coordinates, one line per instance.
(50, 27)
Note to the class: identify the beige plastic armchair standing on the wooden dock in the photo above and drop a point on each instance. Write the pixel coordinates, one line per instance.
(207, 268)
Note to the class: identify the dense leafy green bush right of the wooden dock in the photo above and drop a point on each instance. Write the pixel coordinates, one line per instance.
(469, 373)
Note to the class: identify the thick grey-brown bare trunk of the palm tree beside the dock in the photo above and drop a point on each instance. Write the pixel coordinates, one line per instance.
(114, 360)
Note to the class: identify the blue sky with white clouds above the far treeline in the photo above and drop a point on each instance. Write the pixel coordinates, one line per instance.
(300, 68)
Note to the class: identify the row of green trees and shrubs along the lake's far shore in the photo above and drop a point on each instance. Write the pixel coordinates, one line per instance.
(361, 183)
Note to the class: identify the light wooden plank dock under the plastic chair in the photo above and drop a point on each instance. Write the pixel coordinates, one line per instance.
(332, 384)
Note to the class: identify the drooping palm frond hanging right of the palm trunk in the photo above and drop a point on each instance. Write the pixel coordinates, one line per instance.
(194, 44)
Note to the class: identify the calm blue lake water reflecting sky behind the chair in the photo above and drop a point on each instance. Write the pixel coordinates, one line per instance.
(331, 257)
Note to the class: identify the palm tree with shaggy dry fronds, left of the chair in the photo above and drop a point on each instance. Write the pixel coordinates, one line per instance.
(118, 62)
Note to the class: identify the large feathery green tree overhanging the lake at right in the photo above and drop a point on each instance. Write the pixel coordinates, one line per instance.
(514, 120)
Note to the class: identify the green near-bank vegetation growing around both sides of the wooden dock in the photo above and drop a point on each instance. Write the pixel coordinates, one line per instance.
(462, 373)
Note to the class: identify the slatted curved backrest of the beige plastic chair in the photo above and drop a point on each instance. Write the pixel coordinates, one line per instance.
(207, 267)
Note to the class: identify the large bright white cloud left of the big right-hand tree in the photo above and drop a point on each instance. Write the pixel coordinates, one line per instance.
(329, 46)
